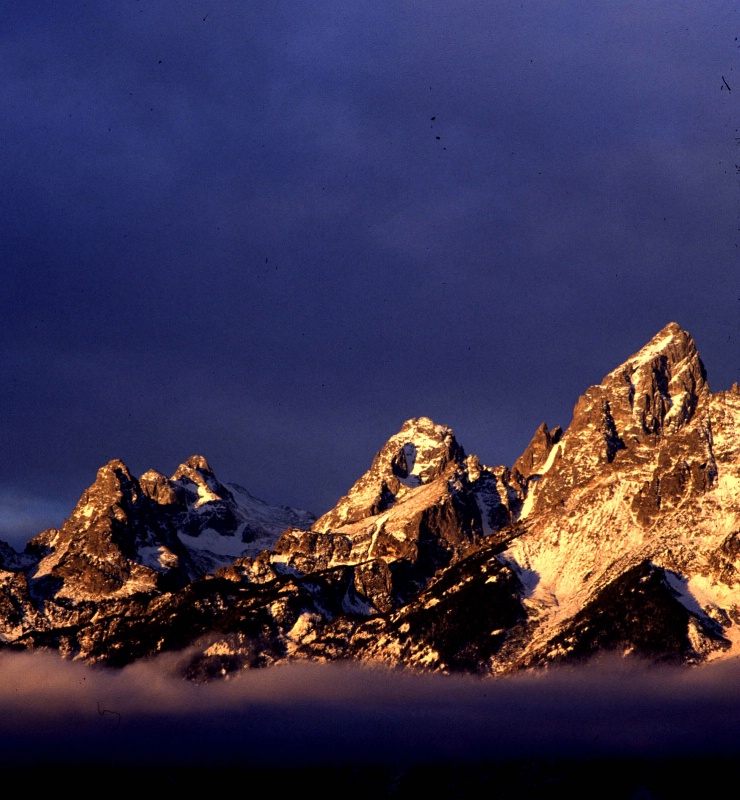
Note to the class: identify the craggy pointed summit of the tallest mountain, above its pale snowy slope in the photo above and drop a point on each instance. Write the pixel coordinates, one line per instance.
(623, 423)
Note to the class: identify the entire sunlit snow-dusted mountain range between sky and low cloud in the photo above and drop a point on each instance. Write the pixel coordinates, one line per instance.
(619, 534)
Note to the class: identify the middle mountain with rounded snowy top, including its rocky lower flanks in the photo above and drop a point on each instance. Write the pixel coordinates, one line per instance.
(420, 507)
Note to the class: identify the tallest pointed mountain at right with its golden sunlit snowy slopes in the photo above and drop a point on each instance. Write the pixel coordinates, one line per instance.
(635, 479)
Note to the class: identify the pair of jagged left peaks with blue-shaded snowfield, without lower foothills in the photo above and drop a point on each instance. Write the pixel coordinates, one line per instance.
(152, 534)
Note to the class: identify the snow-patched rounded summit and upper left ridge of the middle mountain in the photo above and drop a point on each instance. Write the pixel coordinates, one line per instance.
(420, 452)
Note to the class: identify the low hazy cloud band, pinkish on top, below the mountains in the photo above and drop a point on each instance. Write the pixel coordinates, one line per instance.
(60, 712)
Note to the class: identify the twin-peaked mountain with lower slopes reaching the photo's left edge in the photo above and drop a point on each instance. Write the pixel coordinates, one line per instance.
(127, 540)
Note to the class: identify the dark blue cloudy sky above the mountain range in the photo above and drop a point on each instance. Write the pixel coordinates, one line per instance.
(270, 236)
